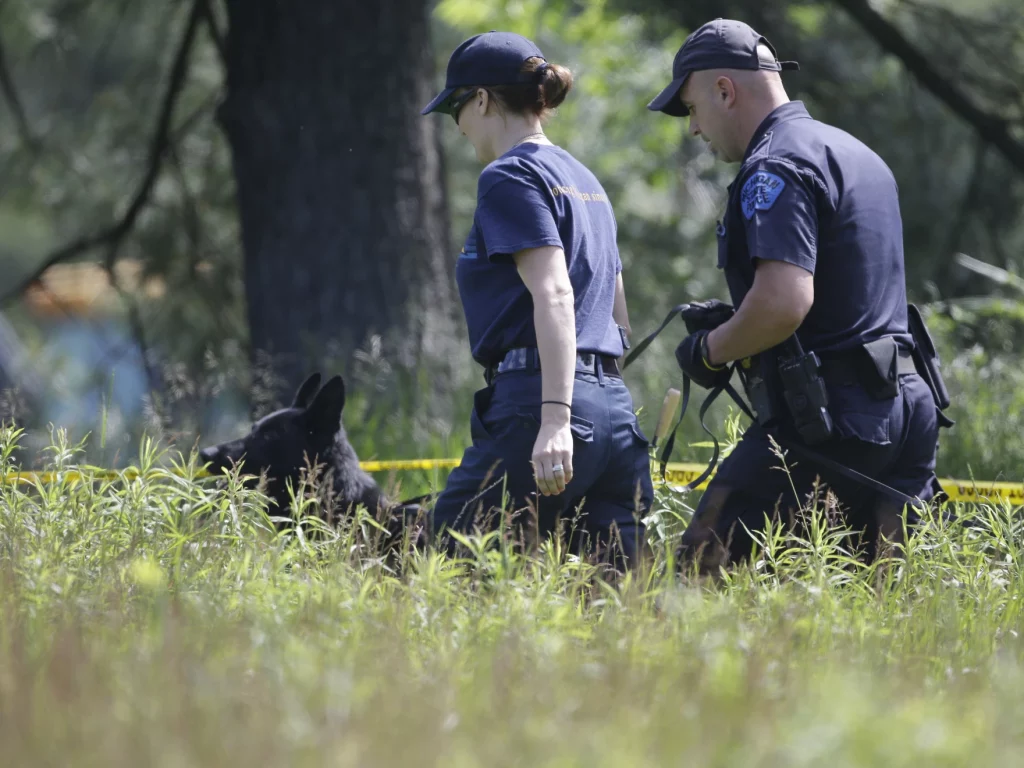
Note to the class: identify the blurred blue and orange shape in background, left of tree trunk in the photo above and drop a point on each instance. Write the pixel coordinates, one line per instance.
(68, 359)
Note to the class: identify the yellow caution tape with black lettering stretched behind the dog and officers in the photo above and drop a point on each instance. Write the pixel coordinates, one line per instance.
(676, 476)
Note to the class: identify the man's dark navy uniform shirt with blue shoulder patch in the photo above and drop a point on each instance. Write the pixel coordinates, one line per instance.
(812, 195)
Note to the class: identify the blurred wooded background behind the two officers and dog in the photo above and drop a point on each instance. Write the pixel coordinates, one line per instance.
(202, 201)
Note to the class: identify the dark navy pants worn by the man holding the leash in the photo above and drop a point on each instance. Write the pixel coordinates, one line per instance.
(893, 442)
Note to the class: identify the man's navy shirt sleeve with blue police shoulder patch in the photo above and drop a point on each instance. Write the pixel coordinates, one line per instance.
(780, 211)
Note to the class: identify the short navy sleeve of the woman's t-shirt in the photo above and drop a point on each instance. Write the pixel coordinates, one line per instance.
(515, 216)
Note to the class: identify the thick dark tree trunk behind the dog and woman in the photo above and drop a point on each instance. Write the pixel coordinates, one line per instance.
(340, 186)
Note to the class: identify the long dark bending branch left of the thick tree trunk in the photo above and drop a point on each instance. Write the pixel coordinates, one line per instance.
(114, 235)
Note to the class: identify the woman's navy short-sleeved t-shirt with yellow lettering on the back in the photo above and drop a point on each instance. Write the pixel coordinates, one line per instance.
(535, 196)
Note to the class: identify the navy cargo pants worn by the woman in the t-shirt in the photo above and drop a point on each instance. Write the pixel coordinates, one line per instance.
(612, 487)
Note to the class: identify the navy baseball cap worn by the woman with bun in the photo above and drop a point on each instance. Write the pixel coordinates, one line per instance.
(491, 59)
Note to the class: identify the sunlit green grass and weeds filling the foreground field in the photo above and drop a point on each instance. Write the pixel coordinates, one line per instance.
(162, 621)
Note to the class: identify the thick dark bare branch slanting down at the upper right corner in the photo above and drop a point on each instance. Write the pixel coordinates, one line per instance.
(993, 130)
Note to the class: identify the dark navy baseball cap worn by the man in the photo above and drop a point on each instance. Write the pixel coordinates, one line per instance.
(722, 45)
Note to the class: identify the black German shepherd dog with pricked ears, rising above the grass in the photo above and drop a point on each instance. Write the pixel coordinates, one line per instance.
(310, 434)
